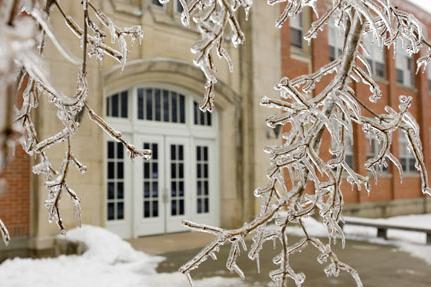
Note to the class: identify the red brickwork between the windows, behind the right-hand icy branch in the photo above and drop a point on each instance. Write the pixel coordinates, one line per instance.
(388, 187)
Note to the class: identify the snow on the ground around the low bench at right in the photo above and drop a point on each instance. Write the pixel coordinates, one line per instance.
(411, 242)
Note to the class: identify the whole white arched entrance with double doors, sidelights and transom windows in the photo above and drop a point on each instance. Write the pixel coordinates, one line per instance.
(180, 181)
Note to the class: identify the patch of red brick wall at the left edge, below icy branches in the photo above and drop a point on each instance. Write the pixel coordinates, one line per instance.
(15, 198)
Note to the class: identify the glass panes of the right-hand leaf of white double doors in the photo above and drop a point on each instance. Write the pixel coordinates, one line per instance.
(177, 180)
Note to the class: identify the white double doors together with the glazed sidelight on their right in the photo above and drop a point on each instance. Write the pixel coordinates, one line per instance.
(173, 185)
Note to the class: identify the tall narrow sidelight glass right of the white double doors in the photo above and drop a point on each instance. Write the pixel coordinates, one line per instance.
(202, 179)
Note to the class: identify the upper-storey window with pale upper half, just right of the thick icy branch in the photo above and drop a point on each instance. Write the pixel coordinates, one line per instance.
(376, 56)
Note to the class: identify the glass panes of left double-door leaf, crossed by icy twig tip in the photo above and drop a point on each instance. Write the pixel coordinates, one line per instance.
(151, 192)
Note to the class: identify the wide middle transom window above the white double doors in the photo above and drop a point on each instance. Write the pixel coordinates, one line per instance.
(161, 105)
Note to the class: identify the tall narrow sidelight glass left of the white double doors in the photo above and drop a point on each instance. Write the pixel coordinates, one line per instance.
(115, 181)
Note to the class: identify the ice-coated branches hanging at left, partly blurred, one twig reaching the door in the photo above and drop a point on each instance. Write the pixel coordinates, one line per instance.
(24, 28)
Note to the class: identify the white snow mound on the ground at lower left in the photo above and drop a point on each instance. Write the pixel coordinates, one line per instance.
(108, 262)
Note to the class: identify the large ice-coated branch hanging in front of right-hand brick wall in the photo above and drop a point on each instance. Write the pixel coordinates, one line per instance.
(305, 114)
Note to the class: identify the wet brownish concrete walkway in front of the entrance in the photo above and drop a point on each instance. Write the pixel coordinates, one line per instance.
(378, 266)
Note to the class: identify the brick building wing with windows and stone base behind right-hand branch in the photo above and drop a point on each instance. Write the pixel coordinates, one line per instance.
(396, 74)
